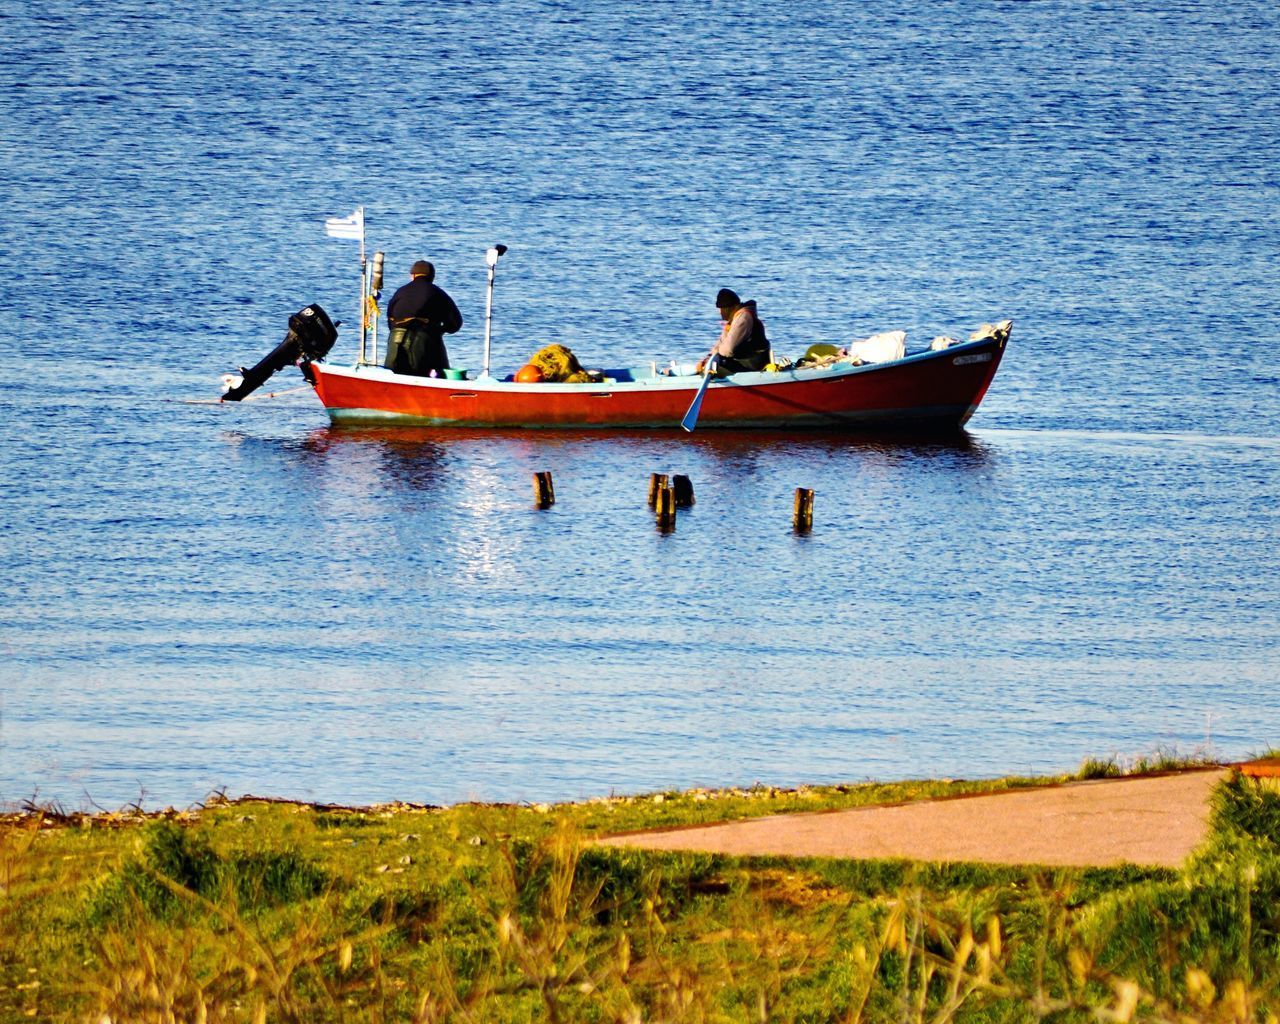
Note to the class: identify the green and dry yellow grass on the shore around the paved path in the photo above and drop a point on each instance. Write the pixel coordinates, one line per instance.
(289, 913)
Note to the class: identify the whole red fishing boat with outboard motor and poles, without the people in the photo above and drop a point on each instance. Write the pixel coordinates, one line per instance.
(938, 390)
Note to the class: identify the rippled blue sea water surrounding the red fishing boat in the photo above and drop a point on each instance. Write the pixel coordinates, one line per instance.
(203, 598)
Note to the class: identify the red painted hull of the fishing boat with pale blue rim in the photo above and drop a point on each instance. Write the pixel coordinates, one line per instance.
(932, 391)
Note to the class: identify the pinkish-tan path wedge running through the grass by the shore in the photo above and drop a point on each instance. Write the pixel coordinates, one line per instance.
(1150, 821)
